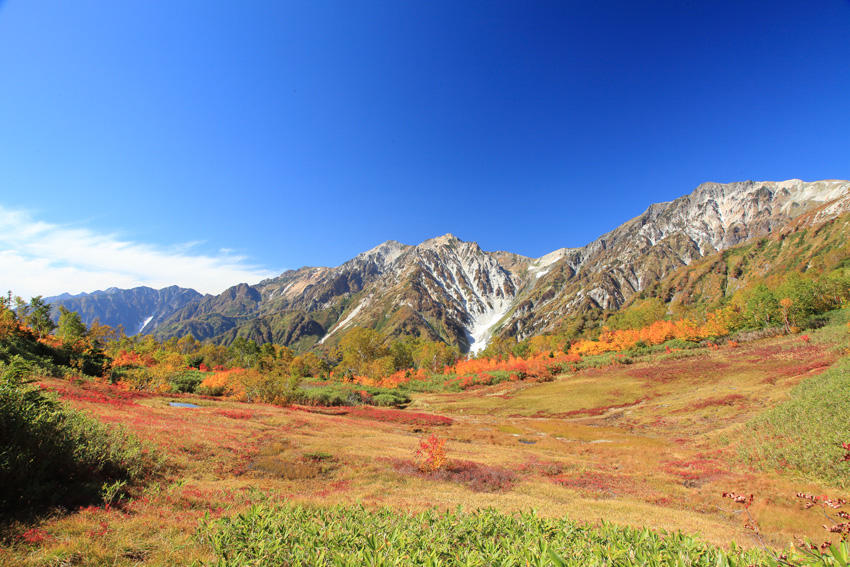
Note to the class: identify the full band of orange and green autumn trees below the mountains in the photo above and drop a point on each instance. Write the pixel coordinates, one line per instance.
(270, 372)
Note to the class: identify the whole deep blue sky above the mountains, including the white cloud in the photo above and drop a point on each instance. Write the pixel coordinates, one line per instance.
(205, 143)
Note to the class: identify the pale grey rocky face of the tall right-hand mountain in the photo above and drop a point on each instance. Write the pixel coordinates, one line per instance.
(608, 271)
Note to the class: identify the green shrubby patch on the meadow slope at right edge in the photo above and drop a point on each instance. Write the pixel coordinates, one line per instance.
(804, 434)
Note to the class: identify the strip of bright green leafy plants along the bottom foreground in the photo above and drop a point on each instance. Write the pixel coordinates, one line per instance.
(352, 535)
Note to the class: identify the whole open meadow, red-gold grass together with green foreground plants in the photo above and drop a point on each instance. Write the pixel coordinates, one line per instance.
(617, 453)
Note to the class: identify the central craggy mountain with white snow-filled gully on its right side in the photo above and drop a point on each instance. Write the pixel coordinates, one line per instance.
(443, 288)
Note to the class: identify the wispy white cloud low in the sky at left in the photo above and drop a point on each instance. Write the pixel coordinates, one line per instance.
(39, 258)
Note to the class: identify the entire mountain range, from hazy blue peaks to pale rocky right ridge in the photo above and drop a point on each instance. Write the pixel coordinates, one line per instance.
(452, 290)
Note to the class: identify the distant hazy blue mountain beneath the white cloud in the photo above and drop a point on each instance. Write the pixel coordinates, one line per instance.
(140, 309)
